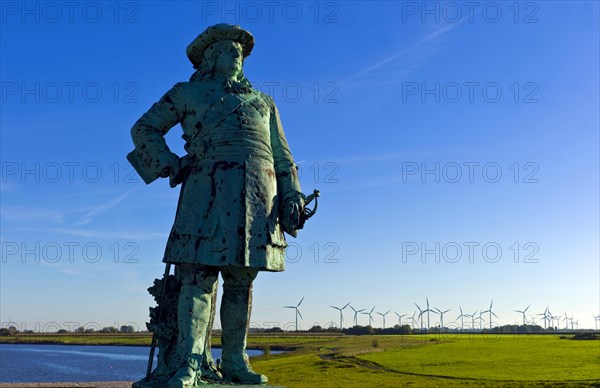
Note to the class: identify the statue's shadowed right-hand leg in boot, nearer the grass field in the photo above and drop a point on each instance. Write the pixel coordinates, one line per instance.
(235, 319)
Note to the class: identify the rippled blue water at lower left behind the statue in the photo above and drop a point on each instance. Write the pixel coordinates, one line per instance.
(62, 363)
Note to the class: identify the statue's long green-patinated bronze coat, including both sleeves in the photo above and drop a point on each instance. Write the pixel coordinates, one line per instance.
(241, 178)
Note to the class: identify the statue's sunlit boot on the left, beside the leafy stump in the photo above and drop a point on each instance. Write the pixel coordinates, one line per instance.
(193, 316)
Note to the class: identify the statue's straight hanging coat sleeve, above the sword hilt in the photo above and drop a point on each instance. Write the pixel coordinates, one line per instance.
(286, 171)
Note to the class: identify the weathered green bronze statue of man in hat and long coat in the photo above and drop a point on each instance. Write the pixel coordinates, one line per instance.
(239, 193)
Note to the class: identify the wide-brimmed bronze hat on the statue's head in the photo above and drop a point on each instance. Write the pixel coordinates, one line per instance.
(223, 31)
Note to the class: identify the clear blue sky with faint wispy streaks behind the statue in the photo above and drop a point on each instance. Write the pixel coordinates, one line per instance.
(422, 128)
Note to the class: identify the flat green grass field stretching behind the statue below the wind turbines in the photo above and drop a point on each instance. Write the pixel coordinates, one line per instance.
(394, 361)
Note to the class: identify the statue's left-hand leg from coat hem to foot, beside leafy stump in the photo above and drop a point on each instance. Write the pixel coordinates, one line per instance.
(193, 317)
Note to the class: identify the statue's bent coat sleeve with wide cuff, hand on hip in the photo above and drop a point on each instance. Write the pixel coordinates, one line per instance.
(152, 158)
